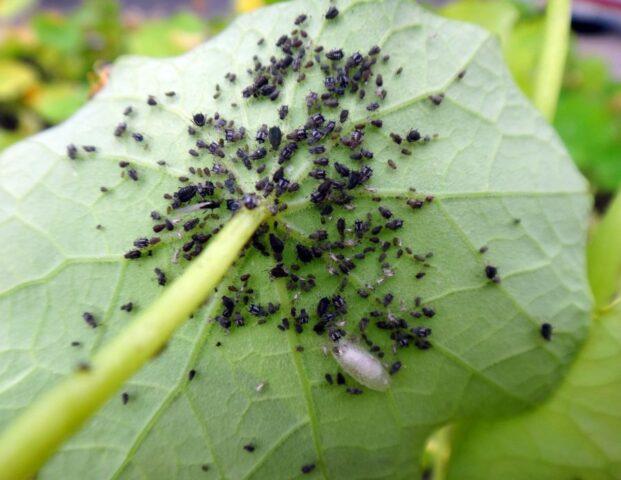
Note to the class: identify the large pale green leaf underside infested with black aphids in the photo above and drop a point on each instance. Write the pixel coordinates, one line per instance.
(499, 176)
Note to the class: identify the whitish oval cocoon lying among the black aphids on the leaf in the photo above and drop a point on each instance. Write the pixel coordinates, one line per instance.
(361, 365)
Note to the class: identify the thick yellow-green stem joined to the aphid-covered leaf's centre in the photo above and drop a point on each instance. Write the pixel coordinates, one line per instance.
(38, 432)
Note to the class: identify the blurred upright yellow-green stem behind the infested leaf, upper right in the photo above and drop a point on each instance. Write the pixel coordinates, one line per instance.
(549, 74)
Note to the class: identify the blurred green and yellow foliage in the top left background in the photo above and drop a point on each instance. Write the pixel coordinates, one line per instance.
(49, 64)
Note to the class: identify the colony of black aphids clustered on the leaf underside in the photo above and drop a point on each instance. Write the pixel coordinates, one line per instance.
(339, 164)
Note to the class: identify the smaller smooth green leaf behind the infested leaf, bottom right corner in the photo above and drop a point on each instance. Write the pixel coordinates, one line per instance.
(574, 435)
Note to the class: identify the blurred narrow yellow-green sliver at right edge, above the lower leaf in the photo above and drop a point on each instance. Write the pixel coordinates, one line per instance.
(604, 256)
